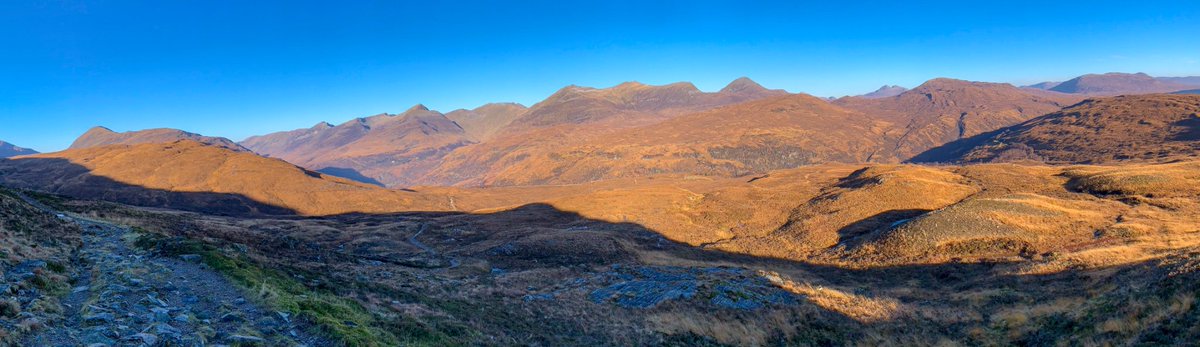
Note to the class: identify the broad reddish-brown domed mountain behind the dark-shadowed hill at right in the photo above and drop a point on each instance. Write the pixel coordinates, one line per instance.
(943, 111)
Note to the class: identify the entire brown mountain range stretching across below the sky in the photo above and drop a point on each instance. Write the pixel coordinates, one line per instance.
(581, 135)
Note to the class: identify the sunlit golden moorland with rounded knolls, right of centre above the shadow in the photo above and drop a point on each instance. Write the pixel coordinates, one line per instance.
(889, 214)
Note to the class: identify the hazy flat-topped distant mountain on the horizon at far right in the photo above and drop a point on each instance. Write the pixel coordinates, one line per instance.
(1117, 83)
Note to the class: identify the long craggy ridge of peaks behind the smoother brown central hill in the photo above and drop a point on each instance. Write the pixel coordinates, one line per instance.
(400, 151)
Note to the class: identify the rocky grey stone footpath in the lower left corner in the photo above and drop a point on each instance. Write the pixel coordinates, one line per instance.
(124, 296)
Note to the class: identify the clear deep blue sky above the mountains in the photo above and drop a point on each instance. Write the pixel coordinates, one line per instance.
(237, 69)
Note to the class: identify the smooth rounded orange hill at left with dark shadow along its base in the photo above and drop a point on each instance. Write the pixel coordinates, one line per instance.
(194, 176)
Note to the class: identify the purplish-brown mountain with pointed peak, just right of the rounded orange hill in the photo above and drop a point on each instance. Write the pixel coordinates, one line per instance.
(386, 149)
